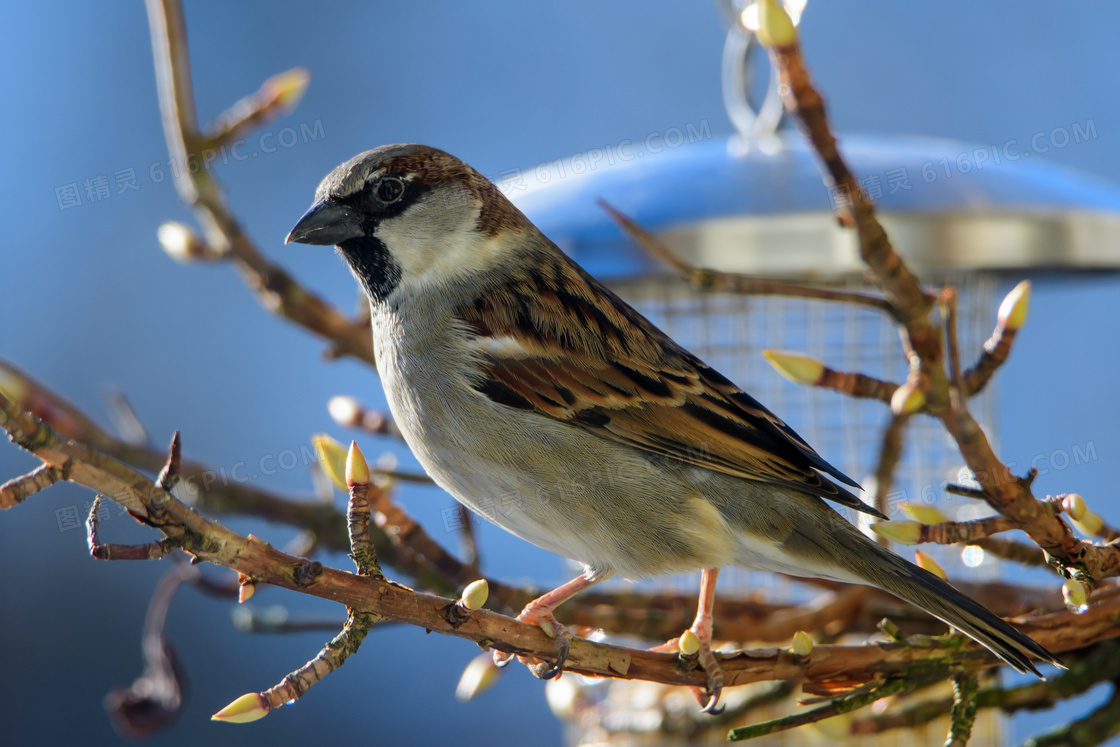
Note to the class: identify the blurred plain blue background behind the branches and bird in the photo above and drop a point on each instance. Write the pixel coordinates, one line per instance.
(90, 298)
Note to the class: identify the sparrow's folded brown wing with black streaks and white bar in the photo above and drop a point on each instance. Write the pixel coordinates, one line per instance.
(582, 356)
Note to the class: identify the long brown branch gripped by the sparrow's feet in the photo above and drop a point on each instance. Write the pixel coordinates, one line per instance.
(211, 541)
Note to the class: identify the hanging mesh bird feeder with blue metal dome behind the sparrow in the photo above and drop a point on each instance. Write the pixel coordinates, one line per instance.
(968, 216)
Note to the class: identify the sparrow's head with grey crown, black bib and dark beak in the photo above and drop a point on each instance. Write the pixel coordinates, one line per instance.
(409, 218)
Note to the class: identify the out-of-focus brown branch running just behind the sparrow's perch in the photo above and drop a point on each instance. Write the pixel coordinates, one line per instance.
(405, 545)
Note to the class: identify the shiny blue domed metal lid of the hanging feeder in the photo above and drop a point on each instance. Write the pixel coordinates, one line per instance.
(738, 207)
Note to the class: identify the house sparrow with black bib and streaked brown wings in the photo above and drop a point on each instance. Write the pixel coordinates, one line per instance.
(546, 404)
